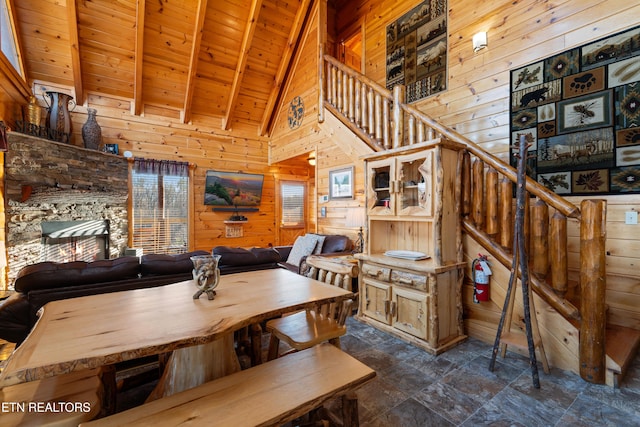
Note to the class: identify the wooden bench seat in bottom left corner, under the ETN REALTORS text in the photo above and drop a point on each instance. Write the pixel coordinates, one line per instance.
(61, 400)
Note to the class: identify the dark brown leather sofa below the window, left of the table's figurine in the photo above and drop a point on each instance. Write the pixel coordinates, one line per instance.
(37, 284)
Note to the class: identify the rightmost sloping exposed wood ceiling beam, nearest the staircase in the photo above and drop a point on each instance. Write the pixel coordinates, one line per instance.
(285, 64)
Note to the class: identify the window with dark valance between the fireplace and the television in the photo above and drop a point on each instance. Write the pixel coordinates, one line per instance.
(160, 203)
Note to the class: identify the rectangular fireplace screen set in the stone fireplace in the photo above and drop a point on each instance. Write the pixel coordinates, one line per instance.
(66, 241)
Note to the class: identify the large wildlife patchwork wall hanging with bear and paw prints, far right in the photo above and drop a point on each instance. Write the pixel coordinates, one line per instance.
(581, 109)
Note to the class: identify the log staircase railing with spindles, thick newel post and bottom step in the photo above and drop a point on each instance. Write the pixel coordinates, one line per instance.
(382, 120)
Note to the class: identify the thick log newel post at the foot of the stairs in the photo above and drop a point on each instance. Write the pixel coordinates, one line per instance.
(593, 292)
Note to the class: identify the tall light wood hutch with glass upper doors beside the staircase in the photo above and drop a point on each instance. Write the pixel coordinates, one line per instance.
(413, 205)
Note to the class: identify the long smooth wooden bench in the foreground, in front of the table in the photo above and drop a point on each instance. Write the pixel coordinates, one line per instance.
(269, 394)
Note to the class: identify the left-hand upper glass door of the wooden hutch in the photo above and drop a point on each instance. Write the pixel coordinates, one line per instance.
(380, 187)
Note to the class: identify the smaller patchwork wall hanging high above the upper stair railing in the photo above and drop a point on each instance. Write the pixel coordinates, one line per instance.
(417, 50)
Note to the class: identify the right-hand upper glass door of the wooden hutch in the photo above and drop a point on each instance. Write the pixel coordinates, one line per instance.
(414, 196)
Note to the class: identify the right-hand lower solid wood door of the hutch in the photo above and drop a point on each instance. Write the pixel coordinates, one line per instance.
(409, 312)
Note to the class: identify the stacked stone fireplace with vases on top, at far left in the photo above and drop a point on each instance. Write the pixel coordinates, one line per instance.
(50, 184)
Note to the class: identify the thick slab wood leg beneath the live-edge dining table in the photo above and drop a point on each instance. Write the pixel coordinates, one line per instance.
(191, 366)
